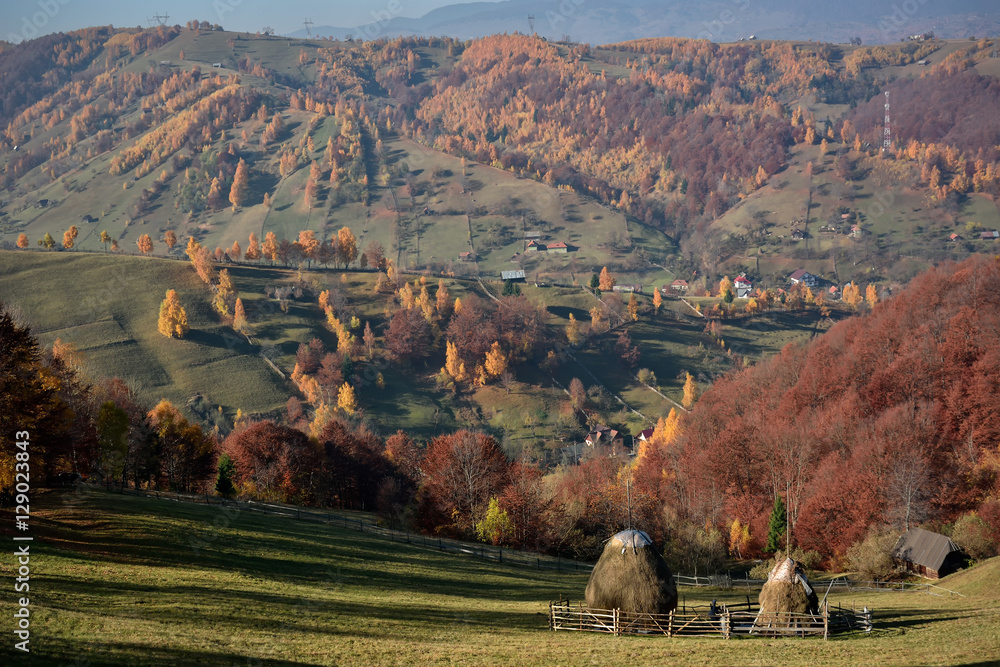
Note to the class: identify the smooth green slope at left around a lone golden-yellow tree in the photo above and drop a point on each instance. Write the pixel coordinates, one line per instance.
(108, 307)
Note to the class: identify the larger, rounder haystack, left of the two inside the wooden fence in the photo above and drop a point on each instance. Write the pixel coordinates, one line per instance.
(632, 576)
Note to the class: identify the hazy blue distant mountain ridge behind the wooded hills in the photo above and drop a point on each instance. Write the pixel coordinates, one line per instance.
(874, 21)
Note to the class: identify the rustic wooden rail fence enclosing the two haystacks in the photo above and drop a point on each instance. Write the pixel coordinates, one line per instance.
(721, 622)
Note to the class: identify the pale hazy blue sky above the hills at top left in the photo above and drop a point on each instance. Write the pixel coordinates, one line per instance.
(30, 18)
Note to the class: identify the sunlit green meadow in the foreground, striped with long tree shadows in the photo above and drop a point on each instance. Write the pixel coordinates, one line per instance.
(122, 581)
